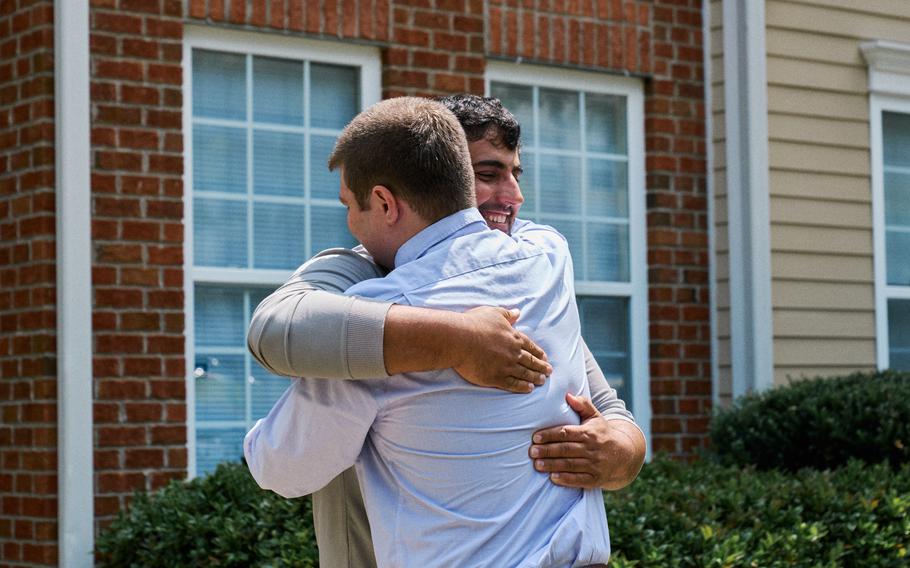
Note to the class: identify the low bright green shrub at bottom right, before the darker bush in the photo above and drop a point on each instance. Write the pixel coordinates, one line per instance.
(708, 515)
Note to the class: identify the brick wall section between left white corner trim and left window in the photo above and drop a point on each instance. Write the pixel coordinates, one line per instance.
(137, 248)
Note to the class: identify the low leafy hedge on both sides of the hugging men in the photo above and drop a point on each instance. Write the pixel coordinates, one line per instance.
(675, 515)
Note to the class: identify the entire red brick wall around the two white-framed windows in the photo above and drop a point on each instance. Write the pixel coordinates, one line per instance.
(138, 237)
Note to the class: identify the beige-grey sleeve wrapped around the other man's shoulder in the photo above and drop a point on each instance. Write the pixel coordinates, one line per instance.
(308, 328)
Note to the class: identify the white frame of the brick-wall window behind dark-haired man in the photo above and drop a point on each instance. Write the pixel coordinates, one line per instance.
(637, 287)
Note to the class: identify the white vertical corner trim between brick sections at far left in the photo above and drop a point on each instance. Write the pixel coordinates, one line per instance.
(76, 509)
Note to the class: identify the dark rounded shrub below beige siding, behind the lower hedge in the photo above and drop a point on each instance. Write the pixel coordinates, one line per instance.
(818, 423)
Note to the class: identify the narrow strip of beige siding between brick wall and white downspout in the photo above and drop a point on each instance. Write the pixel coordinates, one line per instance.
(724, 379)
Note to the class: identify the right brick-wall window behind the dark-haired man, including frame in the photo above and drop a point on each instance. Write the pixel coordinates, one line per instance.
(582, 155)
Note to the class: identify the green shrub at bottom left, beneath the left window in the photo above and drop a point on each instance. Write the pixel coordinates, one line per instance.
(223, 519)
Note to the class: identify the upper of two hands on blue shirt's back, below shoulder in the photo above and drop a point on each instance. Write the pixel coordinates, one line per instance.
(495, 354)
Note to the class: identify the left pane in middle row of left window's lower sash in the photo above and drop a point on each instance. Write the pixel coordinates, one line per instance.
(221, 389)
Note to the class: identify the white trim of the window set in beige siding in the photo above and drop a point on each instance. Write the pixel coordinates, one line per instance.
(889, 90)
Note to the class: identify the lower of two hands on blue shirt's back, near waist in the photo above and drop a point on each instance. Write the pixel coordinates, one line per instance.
(597, 453)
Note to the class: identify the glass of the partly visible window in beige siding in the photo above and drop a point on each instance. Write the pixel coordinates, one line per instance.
(895, 127)
